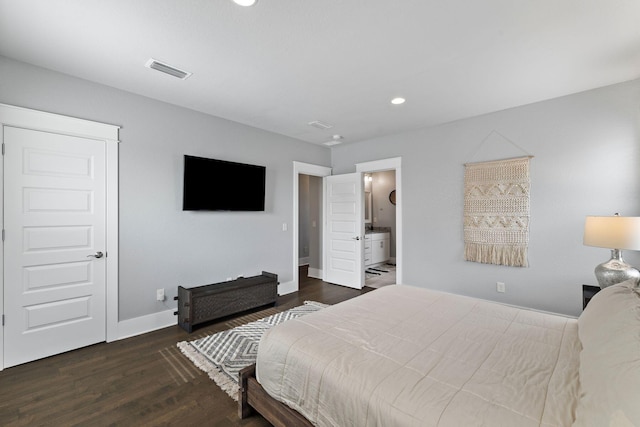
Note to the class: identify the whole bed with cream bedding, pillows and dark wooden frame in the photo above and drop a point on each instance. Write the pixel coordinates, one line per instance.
(408, 356)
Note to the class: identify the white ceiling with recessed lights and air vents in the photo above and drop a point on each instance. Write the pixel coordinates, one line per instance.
(284, 63)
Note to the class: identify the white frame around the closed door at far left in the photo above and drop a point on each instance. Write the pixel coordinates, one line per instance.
(55, 123)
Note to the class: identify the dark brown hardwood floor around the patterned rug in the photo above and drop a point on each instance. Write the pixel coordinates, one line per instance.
(139, 381)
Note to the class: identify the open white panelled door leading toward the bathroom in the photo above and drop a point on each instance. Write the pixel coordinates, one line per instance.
(344, 232)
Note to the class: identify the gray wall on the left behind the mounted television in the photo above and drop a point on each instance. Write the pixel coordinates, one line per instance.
(160, 245)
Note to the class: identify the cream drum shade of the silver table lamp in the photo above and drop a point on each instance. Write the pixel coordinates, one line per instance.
(612, 232)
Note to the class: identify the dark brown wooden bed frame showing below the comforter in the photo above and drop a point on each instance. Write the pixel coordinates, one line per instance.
(252, 396)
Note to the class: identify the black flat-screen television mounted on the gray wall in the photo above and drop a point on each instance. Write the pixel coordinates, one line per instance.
(219, 185)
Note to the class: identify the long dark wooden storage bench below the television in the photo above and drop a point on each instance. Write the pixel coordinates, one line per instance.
(205, 303)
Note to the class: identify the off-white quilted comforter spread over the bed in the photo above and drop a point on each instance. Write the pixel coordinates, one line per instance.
(407, 356)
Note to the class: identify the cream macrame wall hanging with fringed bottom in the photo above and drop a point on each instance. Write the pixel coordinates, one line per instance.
(496, 212)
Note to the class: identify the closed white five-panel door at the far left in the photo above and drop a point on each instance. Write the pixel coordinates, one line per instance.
(54, 276)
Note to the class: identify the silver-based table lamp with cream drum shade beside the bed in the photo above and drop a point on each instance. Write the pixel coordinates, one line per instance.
(615, 233)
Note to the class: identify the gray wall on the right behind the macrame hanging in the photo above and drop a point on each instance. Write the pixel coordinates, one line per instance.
(587, 162)
